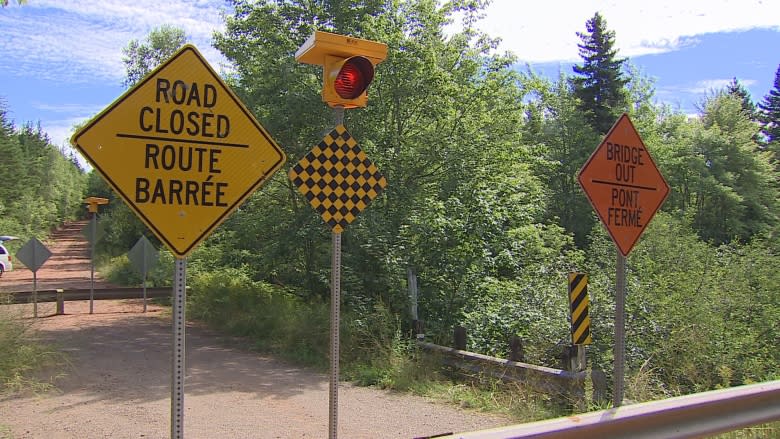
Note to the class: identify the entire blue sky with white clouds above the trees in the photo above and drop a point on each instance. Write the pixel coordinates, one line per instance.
(61, 60)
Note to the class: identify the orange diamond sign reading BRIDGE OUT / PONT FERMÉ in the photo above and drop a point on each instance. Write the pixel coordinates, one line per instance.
(623, 184)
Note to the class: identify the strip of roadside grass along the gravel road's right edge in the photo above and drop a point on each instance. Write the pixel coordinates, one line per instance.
(376, 352)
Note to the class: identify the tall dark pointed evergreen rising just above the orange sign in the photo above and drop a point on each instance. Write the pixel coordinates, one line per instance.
(600, 86)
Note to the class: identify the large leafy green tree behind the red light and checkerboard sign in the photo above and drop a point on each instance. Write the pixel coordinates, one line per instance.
(442, 124)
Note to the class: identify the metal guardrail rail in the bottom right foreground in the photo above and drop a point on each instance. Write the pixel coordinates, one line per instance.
(690, 416)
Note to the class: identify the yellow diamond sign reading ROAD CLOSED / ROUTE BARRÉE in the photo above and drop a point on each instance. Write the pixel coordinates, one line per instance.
(181, 149)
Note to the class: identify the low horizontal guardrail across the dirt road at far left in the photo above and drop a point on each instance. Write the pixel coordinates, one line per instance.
(83, 294)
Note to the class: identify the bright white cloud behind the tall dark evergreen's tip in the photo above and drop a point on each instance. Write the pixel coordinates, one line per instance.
(545, 31)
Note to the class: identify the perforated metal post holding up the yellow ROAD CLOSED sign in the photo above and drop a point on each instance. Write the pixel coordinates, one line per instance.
(177, 382)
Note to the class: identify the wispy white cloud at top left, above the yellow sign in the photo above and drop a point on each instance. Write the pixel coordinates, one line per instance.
(75, 41)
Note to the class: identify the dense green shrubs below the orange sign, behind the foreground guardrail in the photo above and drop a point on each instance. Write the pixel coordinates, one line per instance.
(698, 316)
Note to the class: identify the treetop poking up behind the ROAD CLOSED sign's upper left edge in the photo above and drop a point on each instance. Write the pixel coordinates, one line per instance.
(141, 58)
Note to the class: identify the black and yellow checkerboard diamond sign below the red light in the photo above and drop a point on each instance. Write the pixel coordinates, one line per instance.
(338, 179)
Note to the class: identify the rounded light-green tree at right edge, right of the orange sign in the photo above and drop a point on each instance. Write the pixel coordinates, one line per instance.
(720, 177)
